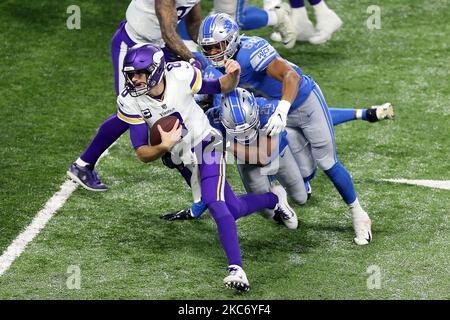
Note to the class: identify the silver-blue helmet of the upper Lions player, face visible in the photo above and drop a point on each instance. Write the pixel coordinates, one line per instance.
(218, 38)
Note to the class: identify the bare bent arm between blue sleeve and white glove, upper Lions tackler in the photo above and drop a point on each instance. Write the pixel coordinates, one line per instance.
(281, 70)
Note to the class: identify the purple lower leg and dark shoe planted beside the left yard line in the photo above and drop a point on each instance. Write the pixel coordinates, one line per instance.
(82, 170)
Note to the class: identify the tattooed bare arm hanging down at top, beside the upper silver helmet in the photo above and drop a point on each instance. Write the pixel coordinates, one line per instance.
(168, 20)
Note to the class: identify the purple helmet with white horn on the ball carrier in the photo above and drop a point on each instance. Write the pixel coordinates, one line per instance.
(143, 58)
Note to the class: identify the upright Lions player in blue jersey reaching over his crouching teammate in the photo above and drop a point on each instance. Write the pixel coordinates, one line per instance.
(266, 74)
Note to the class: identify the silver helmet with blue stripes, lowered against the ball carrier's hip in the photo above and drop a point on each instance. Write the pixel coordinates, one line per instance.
(240, 115)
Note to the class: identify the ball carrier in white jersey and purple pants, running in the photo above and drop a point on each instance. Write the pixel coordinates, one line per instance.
(154, 90)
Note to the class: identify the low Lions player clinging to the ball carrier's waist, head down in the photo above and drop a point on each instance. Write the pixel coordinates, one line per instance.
(243, 117)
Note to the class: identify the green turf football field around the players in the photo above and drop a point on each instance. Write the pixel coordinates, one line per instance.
(56, 87)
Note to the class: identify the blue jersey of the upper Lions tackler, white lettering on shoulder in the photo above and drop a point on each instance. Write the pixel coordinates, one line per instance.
(254, 55)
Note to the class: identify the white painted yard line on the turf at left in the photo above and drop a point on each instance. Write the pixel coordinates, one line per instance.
(19, 244)
